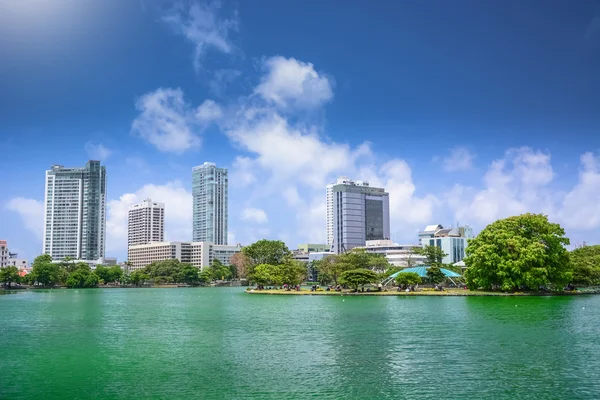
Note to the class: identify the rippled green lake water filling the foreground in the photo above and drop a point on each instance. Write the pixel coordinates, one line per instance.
(221, 343)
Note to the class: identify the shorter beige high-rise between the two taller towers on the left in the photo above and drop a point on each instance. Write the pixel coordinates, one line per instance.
(146, 223)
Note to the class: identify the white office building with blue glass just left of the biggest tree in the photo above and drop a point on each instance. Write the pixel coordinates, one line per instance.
(452, 241)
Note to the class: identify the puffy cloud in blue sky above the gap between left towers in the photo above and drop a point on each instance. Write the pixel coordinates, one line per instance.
(166, 121)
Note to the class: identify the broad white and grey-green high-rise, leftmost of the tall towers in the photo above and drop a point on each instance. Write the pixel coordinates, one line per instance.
(75, 212)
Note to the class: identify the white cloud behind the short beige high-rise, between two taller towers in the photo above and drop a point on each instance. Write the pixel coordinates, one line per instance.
(178, 213)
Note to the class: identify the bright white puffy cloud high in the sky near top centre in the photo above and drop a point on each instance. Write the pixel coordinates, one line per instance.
(289, 83)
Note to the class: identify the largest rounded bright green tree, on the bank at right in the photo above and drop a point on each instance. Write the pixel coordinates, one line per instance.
(518, 253)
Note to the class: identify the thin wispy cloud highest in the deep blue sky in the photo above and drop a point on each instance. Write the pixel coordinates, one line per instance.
(201, 26)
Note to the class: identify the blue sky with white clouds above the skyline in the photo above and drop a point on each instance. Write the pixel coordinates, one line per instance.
(465, 111)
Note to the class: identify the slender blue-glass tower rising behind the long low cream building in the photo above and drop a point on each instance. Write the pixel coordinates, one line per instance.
(209, 190)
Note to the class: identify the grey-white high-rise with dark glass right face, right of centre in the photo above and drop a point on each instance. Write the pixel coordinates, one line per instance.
(356, 212)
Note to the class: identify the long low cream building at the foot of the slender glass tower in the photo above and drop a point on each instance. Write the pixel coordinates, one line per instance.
(199, 254)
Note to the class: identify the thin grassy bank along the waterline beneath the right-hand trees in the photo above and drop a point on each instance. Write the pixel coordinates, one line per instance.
(448, 292)
